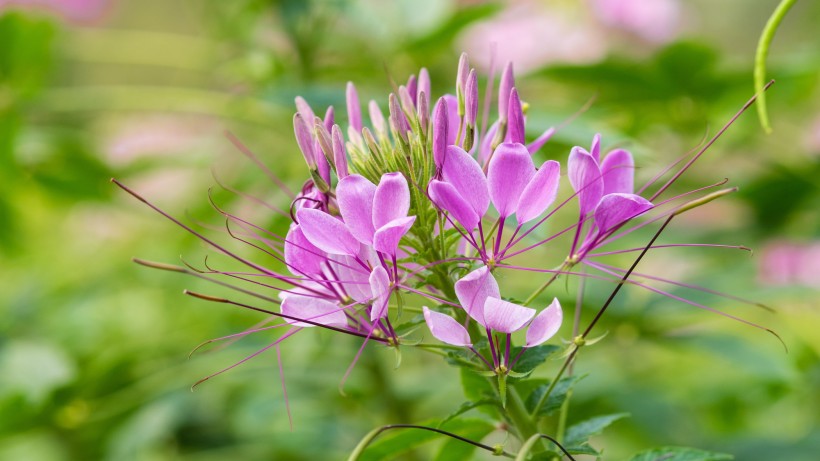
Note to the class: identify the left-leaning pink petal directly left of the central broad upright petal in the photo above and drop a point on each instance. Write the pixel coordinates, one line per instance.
(464, 173)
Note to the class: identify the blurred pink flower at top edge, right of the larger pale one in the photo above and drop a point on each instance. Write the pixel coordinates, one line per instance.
(656, 21)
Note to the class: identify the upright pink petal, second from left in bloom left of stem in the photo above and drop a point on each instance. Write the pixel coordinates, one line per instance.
(354, 194)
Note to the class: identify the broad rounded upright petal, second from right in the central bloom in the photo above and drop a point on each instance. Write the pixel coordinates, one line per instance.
(510, 170)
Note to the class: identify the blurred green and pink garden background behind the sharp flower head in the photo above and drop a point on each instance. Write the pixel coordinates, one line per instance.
(93, 348)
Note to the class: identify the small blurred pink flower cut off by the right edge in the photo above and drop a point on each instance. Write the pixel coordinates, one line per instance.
(789, 263)
